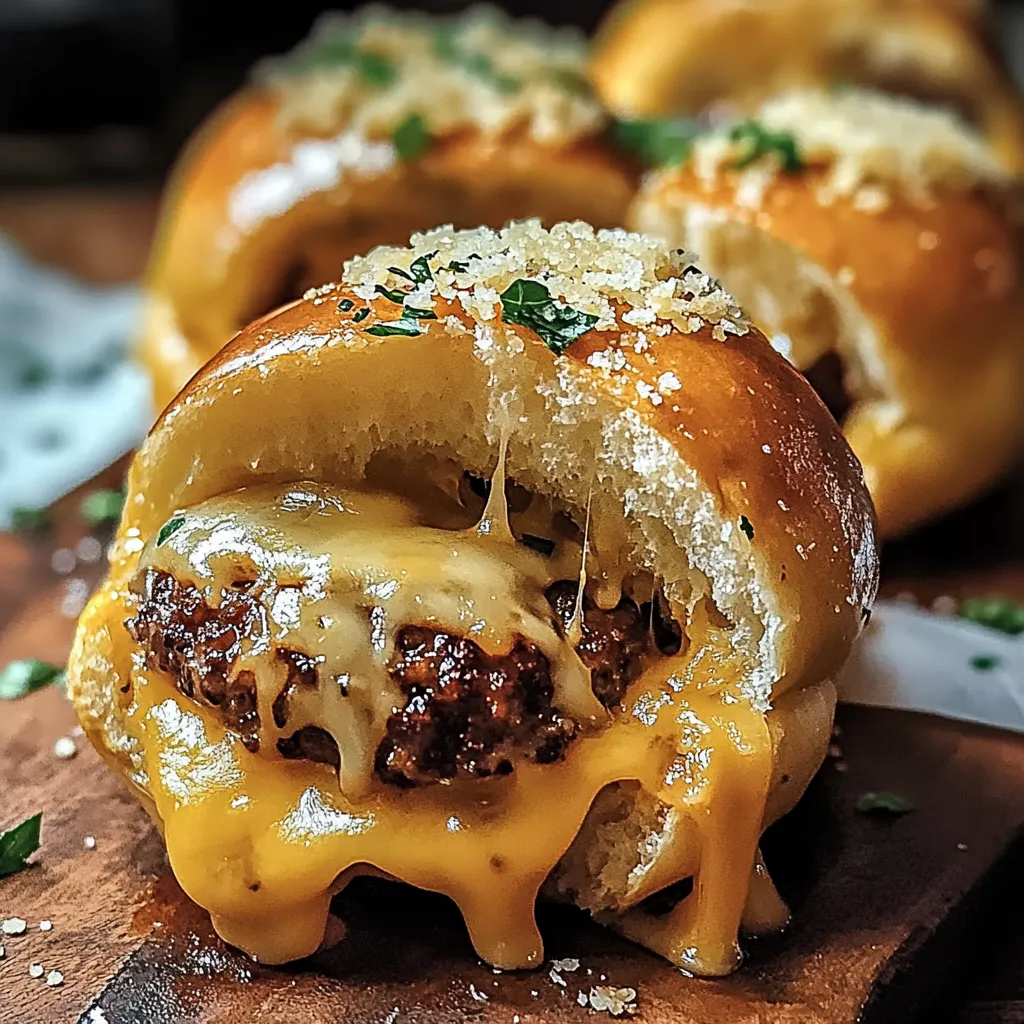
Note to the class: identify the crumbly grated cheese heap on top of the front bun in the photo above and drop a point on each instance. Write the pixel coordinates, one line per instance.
(620, 277)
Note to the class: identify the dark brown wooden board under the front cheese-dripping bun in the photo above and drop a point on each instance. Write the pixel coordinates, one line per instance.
(884, 909)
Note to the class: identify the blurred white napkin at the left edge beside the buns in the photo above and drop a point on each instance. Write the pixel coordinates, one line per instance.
(70, 402)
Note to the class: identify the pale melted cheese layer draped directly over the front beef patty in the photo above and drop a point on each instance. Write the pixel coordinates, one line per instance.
(338, 575)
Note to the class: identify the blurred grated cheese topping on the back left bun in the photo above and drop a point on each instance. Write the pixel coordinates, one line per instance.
(478, 70)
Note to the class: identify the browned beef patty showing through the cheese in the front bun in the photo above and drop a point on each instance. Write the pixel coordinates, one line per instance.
(466, 713)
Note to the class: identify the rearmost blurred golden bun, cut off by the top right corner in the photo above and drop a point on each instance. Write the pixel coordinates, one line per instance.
(662, 58)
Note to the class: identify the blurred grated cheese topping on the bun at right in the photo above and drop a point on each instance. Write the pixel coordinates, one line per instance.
(871, 142)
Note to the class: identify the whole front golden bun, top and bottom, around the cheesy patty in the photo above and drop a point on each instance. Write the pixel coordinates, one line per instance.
(734, 487)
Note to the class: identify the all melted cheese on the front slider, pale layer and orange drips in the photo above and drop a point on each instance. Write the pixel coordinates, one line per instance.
(264, 844)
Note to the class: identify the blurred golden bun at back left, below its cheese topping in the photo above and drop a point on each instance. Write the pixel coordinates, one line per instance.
(217, 267)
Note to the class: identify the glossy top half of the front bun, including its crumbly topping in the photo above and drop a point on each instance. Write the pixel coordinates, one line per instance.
(716, 460)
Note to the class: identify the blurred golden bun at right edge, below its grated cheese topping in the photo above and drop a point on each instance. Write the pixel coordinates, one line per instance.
(923, 304)
